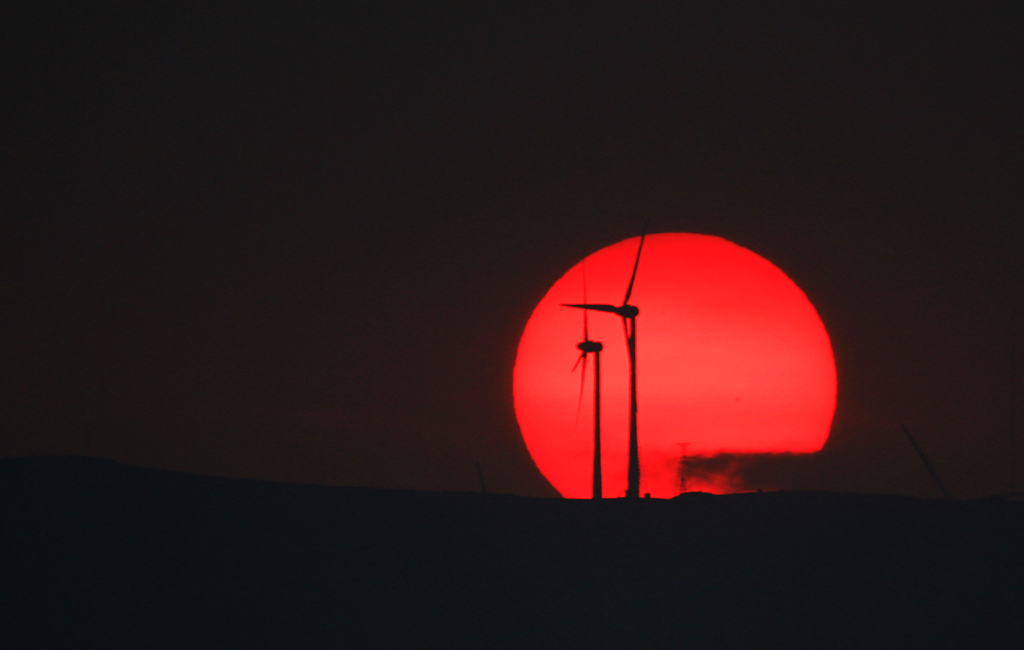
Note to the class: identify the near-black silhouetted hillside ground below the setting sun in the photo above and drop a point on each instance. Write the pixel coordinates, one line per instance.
(100, 555)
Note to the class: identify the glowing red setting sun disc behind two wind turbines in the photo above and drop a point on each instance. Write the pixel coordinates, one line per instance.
(732, 359)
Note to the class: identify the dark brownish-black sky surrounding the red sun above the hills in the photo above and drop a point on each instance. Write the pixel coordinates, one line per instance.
(301, 243)
